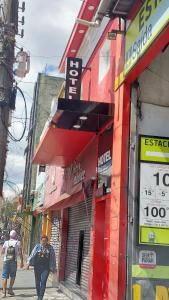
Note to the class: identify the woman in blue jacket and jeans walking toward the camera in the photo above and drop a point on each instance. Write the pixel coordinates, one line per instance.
(42, 258)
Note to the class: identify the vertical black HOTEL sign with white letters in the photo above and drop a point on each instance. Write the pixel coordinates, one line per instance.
(73, 78)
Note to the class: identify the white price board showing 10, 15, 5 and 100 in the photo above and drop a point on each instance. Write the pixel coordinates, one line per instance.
(154, 195)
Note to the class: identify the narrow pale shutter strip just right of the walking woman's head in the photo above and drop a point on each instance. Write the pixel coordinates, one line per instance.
(55, 236)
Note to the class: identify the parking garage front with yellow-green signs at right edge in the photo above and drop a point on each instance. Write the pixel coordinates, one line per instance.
(146, 72)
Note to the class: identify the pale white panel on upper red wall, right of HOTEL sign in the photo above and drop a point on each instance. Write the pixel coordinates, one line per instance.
(104, 60)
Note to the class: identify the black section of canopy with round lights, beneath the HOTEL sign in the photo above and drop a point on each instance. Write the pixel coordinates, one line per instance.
(82, 115)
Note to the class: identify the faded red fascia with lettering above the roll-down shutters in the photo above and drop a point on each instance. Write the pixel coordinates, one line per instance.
(60, 183)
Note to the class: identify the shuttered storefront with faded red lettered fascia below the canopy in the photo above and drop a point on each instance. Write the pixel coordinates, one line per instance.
(76, 197)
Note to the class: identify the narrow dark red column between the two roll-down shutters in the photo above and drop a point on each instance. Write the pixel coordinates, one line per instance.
(63, 244)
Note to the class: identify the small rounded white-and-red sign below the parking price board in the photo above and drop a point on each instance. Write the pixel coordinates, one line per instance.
(147, 259)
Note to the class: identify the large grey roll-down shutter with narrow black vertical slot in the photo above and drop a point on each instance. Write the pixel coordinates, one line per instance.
(79, 220)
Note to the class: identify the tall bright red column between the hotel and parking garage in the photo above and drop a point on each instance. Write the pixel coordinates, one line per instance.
(118, 206)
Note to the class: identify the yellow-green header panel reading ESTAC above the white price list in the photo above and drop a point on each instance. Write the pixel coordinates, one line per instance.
(154, 149)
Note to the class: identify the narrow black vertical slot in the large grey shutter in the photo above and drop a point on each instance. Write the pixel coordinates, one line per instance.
(80, 257)
